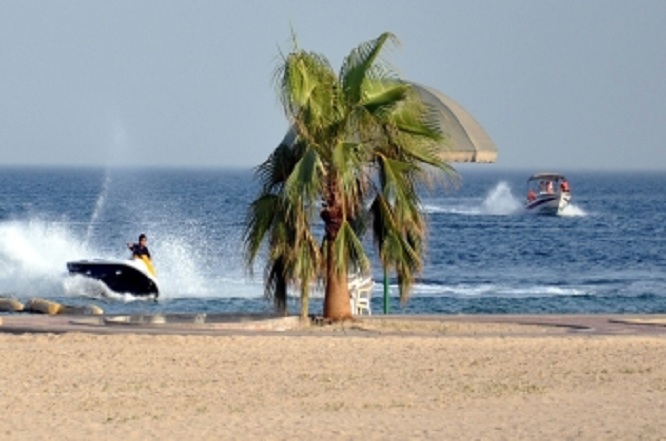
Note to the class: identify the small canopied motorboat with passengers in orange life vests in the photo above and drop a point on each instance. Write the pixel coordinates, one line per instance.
(547, 193)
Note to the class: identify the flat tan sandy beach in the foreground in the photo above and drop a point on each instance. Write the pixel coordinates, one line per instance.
(467, 379)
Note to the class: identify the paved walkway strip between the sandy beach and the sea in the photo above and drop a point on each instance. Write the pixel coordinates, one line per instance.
(201, 324)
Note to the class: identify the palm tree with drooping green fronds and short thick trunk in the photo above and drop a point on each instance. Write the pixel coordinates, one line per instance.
(363, 143)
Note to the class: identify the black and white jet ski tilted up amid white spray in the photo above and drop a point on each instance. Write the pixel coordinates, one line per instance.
(122, 276)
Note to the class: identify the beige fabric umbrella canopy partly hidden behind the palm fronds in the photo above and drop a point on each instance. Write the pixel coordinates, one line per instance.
(465, 140)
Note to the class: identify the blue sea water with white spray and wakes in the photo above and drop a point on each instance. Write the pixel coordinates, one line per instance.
(606, 254)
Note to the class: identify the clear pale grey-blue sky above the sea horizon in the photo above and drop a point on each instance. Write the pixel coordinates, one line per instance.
(557, 84)
